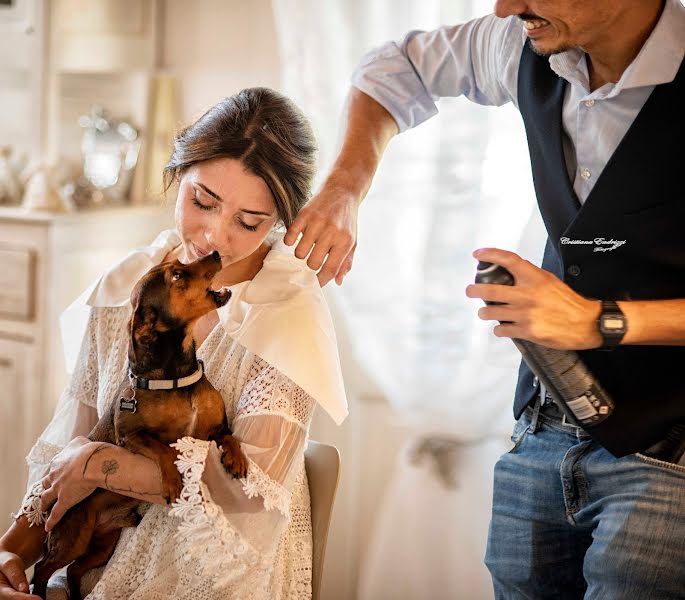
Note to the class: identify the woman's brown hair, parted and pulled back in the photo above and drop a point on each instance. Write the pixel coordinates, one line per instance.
(263, 129)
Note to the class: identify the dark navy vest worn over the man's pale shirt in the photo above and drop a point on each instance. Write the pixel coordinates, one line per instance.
(639, 198)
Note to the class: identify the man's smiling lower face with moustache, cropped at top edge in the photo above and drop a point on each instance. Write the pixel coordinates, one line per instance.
(557, 25)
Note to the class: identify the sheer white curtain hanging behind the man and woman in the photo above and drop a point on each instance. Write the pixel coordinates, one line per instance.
(458, 182)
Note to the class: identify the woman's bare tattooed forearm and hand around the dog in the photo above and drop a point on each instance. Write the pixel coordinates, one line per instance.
(83, 466)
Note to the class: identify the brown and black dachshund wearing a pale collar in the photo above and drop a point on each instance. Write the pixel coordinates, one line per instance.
(167, 301)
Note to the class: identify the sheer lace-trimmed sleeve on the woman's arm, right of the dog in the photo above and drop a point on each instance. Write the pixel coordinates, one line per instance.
(245, 517)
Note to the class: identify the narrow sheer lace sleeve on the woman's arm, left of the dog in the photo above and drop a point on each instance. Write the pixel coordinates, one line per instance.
(75, 415)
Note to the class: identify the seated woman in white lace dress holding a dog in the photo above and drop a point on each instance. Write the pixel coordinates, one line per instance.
(243, 169)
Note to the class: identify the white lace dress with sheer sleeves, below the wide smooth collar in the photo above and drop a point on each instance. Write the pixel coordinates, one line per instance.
(224, 538)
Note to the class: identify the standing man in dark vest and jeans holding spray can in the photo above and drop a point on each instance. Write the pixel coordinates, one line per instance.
(601, 88)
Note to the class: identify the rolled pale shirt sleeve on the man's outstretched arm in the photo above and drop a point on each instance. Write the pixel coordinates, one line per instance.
(478, 59)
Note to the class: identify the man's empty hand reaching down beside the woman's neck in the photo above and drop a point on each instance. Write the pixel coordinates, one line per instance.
(328, 224)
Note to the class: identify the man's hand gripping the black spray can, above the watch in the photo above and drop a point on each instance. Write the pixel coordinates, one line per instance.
(539, 307)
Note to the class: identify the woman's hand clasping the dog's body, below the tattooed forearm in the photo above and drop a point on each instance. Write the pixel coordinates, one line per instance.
(66, 483)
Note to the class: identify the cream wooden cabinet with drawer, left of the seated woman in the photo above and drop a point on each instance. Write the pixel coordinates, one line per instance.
(45, 262)
